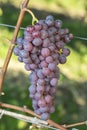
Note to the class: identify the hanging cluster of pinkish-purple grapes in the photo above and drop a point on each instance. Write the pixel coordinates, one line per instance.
(42, 49)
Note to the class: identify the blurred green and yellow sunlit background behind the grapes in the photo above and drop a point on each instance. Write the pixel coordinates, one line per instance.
(71, 94)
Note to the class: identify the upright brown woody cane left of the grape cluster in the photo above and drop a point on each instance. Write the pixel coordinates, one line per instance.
(10, 50)
